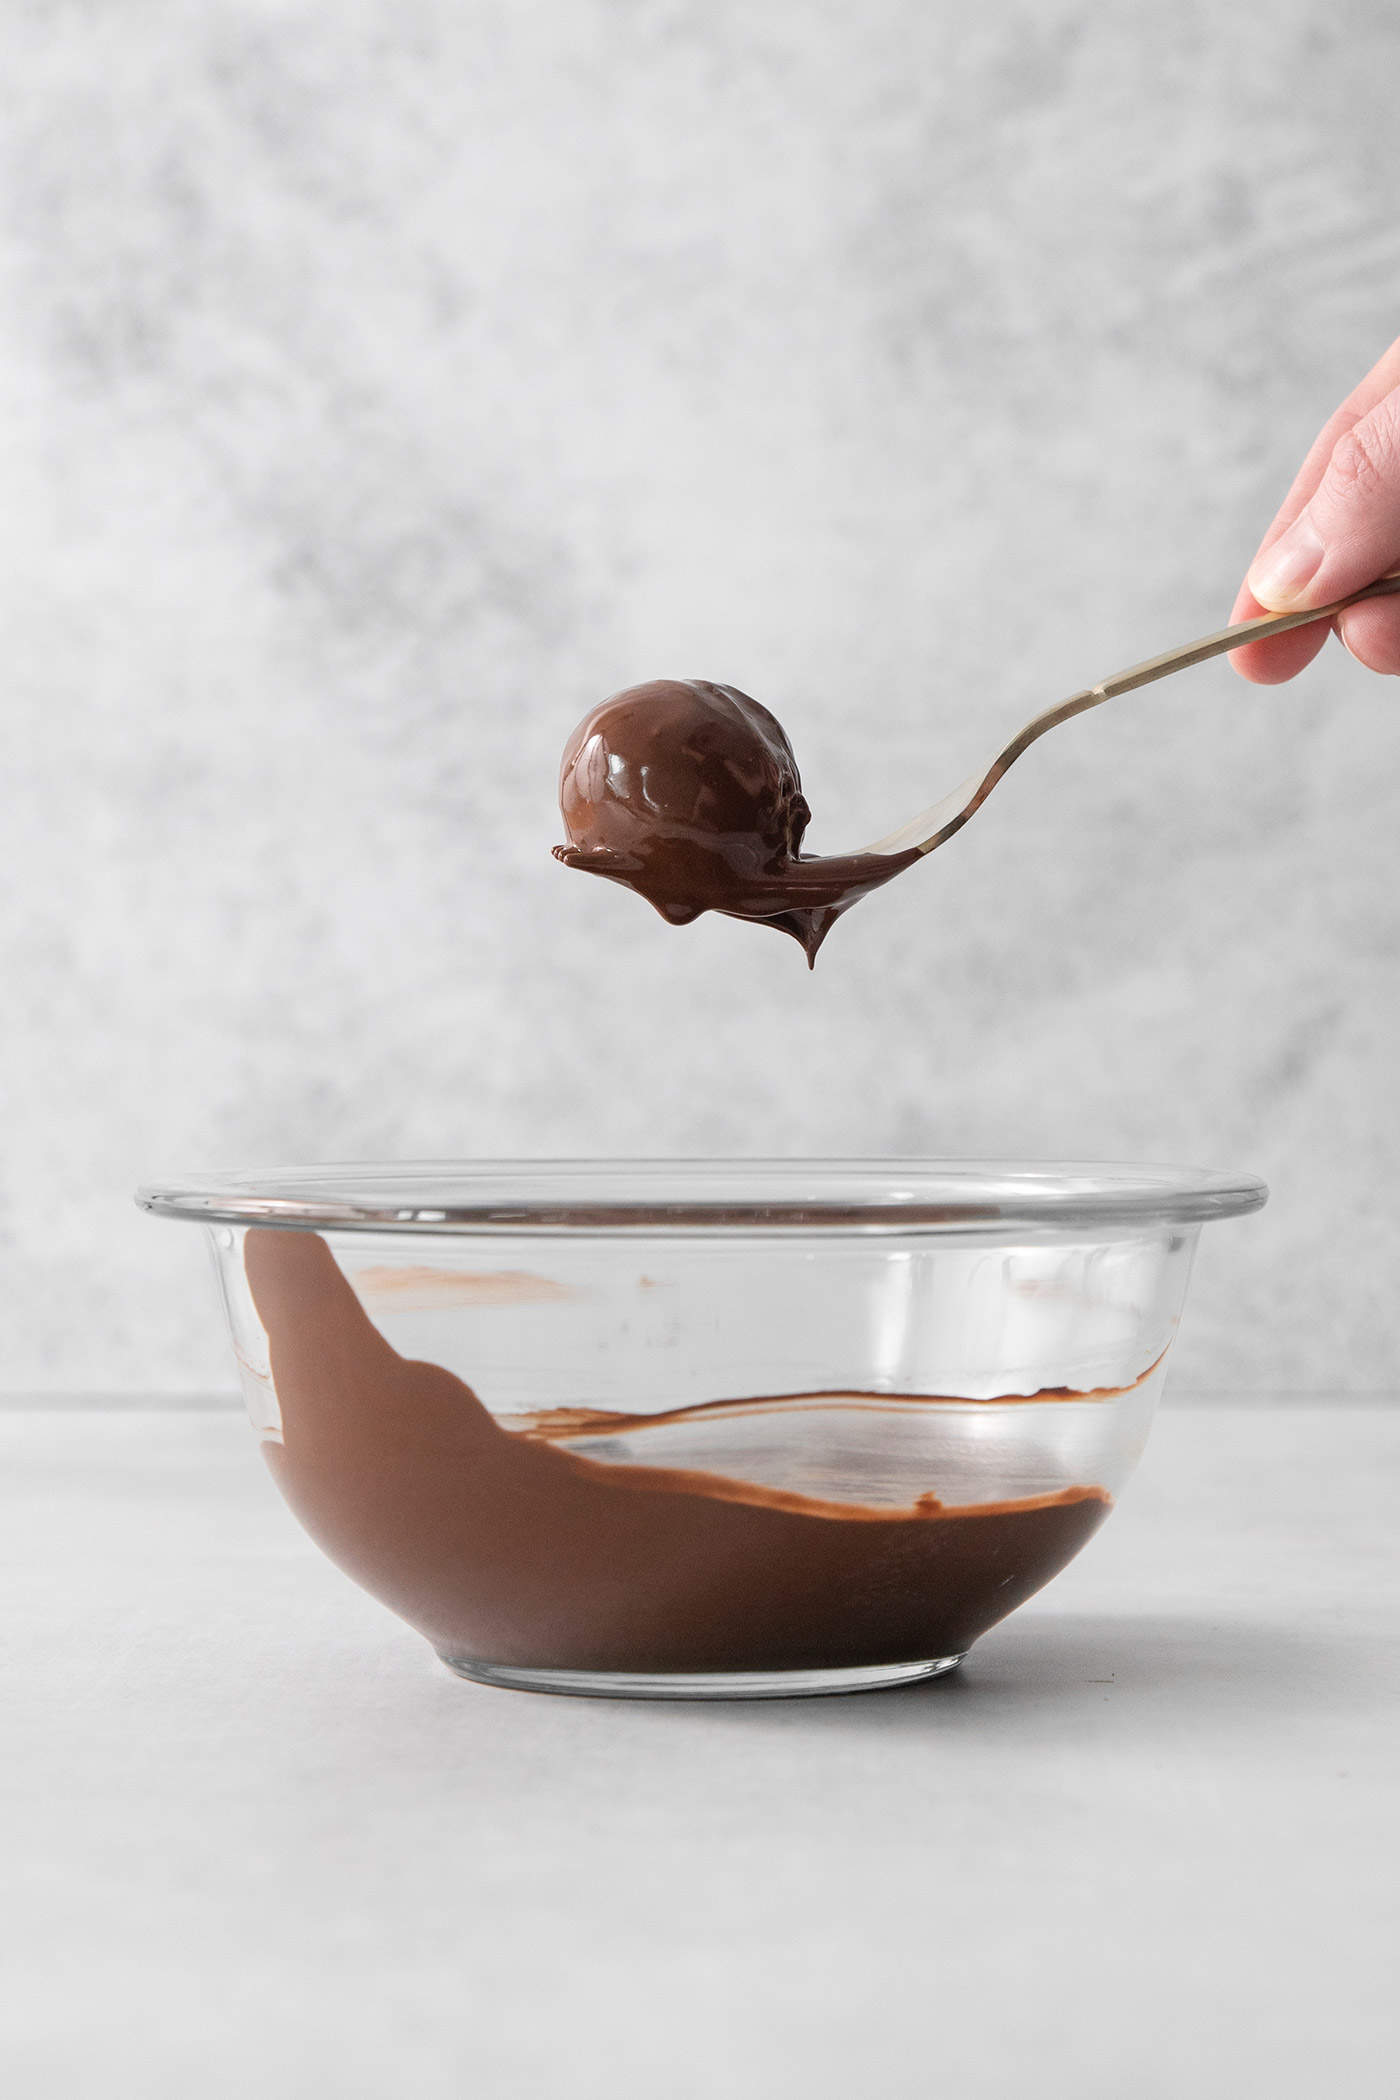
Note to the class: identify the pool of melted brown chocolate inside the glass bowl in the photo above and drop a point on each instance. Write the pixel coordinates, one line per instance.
(511, 1549)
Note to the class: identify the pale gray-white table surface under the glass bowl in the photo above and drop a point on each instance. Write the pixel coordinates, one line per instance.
(257, 1843)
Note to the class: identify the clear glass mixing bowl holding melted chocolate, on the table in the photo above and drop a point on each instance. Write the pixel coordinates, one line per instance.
(694, 1429)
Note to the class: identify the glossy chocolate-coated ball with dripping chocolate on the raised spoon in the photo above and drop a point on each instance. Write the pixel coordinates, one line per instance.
(690, 795)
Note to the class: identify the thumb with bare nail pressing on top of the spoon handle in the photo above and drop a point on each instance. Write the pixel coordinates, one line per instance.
(1351, 530)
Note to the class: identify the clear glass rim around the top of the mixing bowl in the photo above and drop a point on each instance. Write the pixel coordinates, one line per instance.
(612, 1198)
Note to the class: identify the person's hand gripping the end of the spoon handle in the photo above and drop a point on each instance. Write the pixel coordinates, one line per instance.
(1338, 530)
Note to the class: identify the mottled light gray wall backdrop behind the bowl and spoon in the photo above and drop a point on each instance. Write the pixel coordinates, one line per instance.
(389, 381)
